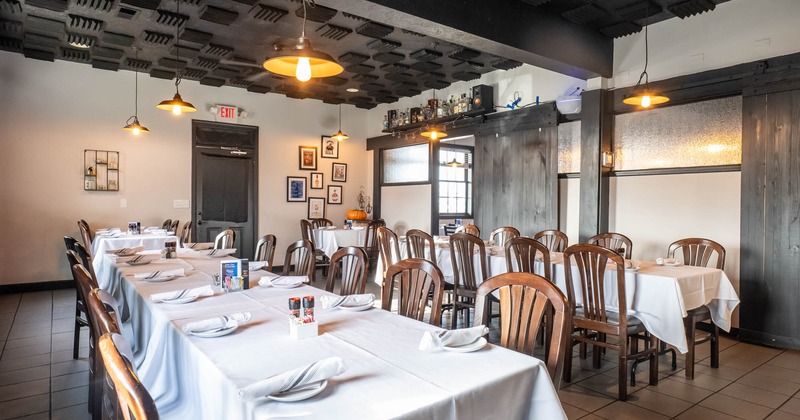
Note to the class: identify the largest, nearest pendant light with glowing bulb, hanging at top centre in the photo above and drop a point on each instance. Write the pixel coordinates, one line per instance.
(302, 61)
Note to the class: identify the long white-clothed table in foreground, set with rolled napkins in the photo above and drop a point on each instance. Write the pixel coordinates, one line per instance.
(387, 375)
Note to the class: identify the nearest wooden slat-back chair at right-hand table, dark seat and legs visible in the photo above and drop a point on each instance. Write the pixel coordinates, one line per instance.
(595, 322)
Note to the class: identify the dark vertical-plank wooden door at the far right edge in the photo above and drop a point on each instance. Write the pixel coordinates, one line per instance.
(770, 217)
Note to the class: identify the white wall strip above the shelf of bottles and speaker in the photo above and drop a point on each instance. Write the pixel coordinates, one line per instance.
(527, 80)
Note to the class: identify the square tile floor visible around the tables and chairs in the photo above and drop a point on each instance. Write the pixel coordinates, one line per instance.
(40, 380)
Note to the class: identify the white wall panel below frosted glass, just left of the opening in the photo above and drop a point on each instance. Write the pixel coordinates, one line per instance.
(407, 204)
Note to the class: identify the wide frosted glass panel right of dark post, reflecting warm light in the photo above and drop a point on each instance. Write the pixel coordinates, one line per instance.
(705, 133)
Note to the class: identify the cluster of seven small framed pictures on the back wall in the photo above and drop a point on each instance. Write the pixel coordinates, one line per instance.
(297, 187)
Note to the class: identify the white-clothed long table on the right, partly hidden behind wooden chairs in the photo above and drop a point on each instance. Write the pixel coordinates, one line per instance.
(659, 296)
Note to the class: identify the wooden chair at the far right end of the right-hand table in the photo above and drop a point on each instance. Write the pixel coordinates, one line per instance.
(698, 252)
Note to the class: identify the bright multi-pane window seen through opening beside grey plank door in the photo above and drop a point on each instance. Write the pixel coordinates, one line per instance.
(455, 183)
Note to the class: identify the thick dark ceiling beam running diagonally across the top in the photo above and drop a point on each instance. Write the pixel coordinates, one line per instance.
(509, 28)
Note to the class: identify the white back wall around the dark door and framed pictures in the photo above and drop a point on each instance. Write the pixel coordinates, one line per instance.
(52, 111)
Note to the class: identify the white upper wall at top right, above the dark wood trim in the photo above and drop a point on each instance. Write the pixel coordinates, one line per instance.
(738, 31)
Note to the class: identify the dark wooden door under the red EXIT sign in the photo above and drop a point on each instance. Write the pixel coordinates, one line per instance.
(225, 183)
